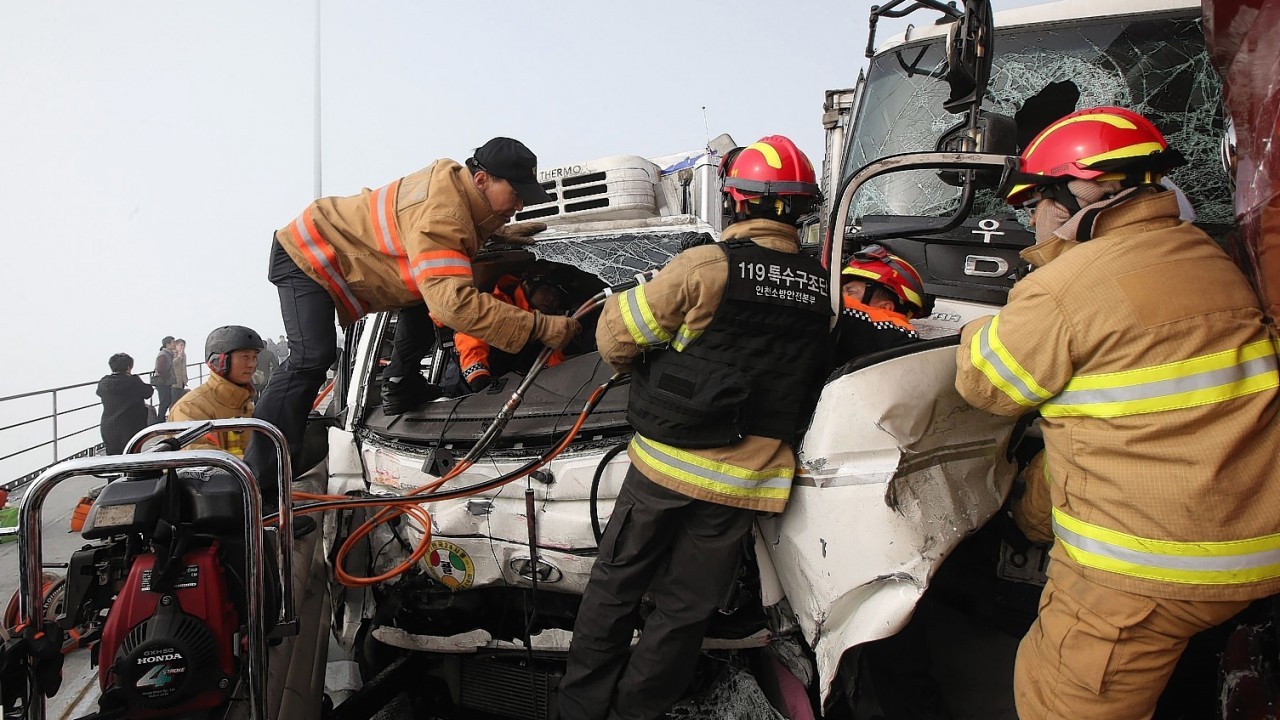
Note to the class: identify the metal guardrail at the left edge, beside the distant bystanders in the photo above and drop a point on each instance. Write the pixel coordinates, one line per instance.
(57, 422)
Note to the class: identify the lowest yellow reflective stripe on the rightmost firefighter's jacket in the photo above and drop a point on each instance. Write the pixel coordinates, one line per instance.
(1190, 563)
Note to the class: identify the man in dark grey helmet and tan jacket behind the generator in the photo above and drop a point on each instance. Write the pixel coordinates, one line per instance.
(231, 353)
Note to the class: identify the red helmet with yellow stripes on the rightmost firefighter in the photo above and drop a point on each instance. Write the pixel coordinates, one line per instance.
(1090, 144)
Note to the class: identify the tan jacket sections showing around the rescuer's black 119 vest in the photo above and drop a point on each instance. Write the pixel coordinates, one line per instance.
(756, 472)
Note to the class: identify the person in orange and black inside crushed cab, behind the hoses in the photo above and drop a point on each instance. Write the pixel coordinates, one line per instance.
(481, 363)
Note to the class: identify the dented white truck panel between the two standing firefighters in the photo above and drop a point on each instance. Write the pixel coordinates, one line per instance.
(895, 476)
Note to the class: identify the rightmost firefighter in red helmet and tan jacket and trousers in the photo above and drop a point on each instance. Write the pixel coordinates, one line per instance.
(1145, 350)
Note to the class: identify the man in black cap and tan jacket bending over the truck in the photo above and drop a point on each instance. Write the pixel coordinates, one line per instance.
(408, 245)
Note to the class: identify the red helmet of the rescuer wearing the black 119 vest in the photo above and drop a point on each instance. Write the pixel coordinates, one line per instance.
(771, 166)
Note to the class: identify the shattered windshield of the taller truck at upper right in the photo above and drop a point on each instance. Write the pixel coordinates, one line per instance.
(1155, 66)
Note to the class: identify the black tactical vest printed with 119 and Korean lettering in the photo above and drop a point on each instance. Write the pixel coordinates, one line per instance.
(758, 367)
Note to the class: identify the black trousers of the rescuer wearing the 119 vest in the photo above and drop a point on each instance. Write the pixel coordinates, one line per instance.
(685, 553)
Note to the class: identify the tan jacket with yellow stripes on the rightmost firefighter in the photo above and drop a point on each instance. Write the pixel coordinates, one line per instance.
(1145, 352)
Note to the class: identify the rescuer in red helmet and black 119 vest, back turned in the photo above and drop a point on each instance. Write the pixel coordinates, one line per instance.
(726, 349)
